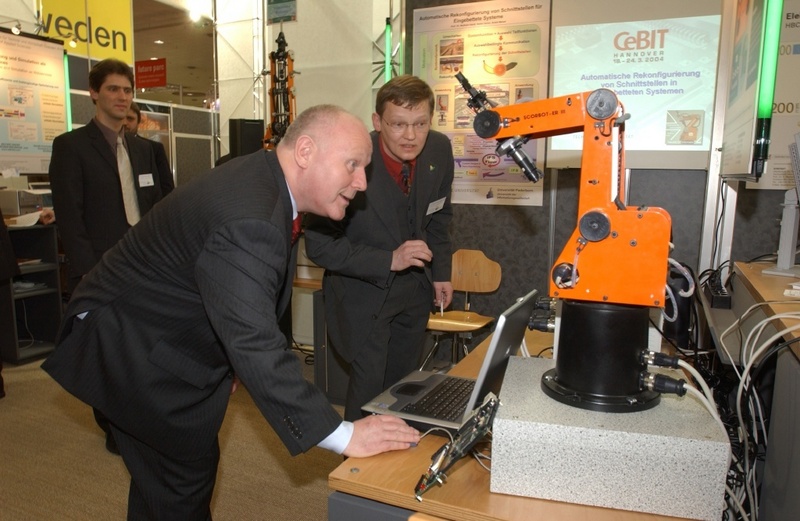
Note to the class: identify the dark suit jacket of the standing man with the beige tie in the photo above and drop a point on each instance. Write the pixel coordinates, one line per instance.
(87, 196)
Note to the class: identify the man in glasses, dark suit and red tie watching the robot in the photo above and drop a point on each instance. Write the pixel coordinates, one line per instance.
(387, 264)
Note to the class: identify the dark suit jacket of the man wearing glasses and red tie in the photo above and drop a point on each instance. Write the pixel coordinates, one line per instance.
(357, 252)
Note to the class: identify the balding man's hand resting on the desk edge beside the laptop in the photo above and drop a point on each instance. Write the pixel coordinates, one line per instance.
(378, 433)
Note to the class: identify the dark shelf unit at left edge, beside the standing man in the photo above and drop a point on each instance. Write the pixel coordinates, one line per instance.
(29, 320)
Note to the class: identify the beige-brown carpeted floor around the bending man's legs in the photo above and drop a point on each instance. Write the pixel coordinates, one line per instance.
(54, 464)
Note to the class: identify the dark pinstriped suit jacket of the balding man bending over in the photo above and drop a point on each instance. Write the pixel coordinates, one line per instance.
(188, 297)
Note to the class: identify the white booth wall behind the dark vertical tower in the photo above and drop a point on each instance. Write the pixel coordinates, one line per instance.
(332, 45)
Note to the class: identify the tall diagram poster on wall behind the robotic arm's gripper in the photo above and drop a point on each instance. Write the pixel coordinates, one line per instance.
(502, 48)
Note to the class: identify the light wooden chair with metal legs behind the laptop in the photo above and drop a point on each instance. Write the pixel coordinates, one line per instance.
(472, 272)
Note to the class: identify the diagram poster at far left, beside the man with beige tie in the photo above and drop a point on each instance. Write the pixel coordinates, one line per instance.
(32, 101)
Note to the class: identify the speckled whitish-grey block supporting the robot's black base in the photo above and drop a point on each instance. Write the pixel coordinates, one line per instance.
(669, 460)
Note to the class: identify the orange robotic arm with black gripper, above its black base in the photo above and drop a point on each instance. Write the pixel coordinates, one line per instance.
(617, 254)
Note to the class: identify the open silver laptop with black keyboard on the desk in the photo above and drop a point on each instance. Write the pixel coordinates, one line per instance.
(417, 398)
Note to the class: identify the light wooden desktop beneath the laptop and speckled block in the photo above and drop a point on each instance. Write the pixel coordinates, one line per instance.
(390, 478)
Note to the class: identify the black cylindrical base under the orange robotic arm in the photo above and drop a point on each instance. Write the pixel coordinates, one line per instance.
(598, 365)
